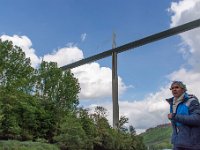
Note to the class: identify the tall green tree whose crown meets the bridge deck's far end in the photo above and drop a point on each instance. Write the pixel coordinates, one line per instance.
(58, 91)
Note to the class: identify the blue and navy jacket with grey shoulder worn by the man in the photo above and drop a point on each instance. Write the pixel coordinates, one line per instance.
(186, 123)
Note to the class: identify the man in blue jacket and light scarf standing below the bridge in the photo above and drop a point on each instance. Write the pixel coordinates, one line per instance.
(185, 118)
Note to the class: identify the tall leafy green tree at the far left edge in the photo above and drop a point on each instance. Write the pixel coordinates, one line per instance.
(16, 76)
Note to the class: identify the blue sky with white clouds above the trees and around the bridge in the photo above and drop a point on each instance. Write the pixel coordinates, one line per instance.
(65, 31)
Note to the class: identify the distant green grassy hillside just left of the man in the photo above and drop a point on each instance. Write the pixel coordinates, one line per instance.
(158, 138)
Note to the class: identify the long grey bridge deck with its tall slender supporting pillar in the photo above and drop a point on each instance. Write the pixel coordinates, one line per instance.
(114, 51)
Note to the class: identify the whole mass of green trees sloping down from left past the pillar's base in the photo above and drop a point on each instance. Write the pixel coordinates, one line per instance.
(42, 105)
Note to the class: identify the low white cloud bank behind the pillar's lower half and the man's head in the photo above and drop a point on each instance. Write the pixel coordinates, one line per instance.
(153, 110)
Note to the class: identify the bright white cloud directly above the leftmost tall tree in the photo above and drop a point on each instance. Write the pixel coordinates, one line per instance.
(25, 43)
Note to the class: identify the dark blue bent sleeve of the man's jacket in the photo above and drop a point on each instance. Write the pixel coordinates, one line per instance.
(193, 119)
